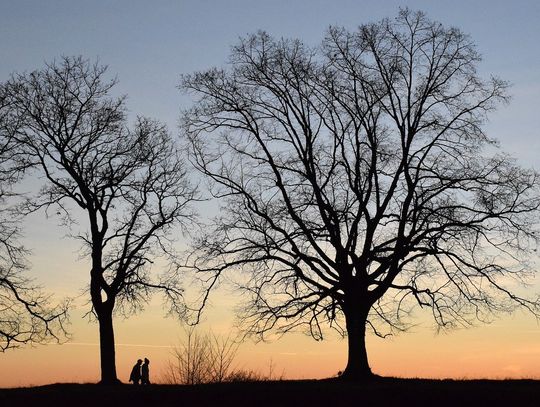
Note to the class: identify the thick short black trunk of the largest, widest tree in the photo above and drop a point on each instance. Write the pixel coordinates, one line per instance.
(357, 363)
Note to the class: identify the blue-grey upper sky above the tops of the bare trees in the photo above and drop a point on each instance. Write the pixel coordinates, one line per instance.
(148, 44)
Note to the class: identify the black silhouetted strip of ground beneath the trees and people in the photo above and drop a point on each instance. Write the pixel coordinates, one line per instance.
(332, 393)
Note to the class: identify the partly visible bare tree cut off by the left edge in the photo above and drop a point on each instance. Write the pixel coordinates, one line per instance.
(27, 315)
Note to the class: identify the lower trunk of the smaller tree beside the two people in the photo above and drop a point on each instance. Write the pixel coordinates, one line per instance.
(106, 346)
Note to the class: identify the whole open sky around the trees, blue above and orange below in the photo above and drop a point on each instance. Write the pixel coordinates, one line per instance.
(148, 45)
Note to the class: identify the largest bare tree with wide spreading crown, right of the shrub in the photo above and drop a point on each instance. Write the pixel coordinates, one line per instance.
(356, 182)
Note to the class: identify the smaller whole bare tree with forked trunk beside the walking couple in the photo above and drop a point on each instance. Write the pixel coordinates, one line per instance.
(130, 184)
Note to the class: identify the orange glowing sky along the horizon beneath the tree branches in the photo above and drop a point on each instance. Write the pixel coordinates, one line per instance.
(508, 348)
